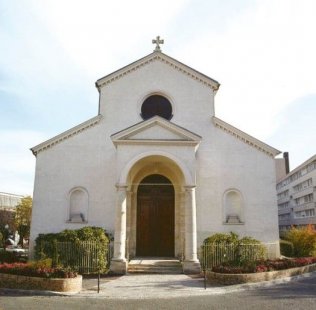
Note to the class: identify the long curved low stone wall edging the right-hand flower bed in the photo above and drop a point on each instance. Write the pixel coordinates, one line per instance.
(229, 279)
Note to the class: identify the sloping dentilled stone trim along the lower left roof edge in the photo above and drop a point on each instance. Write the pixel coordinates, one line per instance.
(66, 135)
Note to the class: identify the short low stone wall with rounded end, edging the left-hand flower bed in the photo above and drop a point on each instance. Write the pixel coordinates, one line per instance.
(70, 285)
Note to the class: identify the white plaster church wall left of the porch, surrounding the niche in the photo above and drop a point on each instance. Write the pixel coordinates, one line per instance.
(84, 160)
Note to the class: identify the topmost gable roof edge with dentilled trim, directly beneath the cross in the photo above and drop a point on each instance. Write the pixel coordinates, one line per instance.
(158, 56)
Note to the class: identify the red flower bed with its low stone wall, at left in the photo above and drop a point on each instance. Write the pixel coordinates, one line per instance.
(33, 276)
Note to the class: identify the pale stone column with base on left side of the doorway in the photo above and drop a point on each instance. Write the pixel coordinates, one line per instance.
(119, 263)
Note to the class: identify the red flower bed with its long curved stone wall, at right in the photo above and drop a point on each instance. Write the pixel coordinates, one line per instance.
(262, 271)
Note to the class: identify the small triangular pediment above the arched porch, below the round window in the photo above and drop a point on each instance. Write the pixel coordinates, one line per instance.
(156, 130)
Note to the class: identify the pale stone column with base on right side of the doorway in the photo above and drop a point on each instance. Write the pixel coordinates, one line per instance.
(191, 263)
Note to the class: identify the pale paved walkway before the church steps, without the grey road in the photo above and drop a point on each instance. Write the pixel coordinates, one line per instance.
(167, 286)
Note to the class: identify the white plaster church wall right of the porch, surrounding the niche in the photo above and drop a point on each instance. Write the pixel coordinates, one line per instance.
(229, 163)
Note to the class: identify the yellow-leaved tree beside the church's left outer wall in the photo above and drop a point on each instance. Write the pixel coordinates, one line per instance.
(23, 217)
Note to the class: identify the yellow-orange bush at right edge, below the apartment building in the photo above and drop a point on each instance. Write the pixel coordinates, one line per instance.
(303, 240)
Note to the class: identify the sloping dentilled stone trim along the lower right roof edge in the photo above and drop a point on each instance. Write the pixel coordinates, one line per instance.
(240, 135)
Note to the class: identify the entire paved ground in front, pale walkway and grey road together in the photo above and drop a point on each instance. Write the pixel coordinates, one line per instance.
(297, 293)
